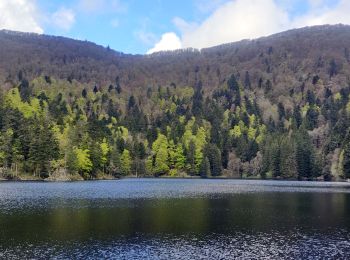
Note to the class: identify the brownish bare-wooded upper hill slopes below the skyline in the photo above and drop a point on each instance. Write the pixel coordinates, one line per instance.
(287, 59)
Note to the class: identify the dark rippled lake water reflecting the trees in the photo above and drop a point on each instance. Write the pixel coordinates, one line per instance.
(175, 219)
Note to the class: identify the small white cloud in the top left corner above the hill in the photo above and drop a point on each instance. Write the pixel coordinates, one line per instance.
(19, 15)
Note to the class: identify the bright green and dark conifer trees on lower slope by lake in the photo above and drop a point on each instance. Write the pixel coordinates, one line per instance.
(52, 126)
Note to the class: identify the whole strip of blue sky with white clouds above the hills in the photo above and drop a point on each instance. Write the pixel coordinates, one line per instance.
(148, 26)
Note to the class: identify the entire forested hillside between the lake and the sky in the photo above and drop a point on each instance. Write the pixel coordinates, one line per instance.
(269, 109)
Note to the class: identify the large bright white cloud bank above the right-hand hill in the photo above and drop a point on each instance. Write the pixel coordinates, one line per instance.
(248, 19)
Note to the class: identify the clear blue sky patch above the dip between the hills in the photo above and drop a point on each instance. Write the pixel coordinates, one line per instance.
(132, 26)
